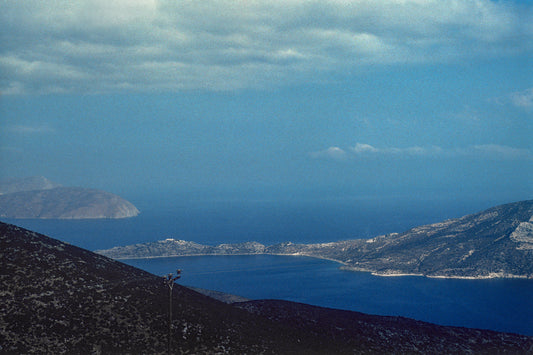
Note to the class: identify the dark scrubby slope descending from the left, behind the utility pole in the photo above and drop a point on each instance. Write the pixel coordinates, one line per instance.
(59, 298)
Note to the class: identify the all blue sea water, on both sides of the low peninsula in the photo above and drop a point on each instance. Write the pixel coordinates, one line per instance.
(496, 304)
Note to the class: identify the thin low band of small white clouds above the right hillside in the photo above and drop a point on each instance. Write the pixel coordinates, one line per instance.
(367, 151)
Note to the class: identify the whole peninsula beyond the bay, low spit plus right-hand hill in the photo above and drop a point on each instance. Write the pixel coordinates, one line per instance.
(496, 243)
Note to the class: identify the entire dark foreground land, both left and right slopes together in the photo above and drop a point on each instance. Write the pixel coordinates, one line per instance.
(57, 298)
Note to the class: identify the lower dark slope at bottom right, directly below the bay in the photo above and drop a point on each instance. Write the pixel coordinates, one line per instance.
(384, 335)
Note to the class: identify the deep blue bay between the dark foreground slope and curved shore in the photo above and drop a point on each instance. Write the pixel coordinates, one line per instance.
(496, 304)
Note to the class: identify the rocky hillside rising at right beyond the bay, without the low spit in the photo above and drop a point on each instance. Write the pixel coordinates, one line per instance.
(497, 242)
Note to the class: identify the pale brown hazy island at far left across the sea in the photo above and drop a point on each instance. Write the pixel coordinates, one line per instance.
(38, 197)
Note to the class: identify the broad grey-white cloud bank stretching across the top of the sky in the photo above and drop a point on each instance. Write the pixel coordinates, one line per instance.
(102, 46)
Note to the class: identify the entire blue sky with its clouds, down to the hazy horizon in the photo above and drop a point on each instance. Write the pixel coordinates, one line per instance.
(271, 99)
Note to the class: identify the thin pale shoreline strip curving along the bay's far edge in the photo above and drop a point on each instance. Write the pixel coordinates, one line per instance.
(346, 267)
